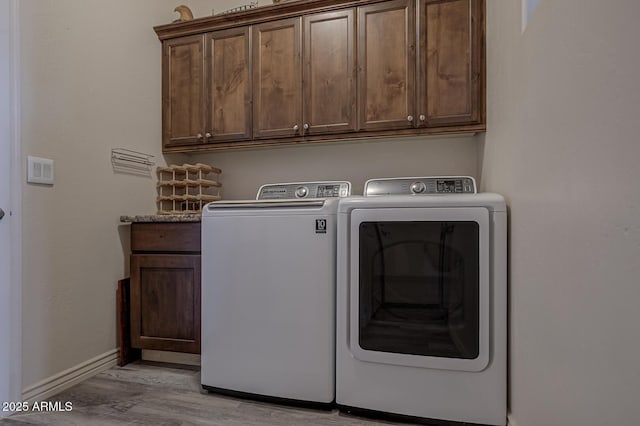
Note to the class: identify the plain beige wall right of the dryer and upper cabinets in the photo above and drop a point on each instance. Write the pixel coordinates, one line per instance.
(562, 145)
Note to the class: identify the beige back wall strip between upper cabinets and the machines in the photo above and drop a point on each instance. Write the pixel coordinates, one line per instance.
(244, 171)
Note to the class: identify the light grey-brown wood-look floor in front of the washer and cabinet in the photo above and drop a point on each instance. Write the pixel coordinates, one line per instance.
(164, 395)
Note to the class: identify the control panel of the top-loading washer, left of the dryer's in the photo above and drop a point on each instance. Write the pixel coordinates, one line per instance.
(302, 190)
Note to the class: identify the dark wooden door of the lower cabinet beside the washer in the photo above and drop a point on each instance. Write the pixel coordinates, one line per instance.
(165, 302)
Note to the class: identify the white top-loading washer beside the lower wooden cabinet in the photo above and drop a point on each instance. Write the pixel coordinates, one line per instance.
(268, 294)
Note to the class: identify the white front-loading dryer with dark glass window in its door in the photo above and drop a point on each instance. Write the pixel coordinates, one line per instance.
(422, 301)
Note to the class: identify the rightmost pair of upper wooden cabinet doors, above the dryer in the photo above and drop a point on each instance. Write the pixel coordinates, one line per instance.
(445, 86)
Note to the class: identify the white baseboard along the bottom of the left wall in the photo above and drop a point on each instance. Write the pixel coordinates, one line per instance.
(72, 376)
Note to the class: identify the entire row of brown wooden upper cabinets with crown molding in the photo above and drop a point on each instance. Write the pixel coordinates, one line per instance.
(320, 70)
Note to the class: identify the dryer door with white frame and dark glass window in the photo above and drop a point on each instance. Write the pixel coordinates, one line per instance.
(419, 287)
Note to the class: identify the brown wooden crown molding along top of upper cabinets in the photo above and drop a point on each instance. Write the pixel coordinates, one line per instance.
(252, 16)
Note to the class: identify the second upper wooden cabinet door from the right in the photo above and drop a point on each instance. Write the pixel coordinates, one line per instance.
(386, 62)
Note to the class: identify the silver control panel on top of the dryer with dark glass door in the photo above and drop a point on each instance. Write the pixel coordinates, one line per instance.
(429, 185)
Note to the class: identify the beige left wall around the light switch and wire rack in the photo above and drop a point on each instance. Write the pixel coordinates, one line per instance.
(90, 82)
